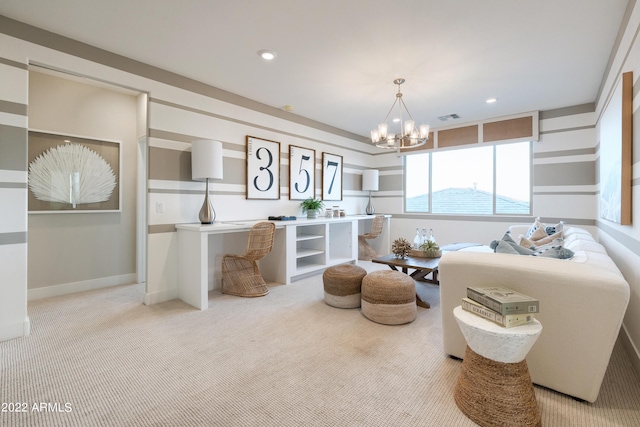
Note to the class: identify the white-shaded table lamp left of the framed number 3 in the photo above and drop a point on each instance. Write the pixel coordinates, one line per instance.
(206, 164)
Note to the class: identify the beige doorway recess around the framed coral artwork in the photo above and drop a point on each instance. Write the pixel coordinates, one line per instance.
(76, 251)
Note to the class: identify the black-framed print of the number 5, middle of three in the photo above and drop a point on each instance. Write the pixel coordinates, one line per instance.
(302, 173)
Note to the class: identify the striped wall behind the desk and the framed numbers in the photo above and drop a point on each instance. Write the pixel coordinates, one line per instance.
(172, 128)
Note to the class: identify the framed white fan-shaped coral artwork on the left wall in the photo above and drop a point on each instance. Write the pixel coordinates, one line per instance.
(73, 174)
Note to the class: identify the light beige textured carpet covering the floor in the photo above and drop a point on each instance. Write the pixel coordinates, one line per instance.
(286, 359)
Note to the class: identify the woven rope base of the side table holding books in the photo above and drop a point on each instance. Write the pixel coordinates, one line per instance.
(493, 393)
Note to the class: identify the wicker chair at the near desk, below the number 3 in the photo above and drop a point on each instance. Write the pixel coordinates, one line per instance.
(240, 273)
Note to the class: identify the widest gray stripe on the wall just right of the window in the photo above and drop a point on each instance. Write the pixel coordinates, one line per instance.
(577, 173)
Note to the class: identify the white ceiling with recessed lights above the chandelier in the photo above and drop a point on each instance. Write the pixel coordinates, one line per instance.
(337, 59)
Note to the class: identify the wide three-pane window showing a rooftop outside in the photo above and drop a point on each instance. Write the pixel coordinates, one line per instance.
(483, 180)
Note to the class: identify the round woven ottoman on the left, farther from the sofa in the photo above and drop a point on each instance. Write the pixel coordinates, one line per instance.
(342, 285)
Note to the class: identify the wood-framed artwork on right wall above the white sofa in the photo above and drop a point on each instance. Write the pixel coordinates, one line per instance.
(616, 154)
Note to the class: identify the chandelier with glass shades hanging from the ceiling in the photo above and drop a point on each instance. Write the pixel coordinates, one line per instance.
(409, 136)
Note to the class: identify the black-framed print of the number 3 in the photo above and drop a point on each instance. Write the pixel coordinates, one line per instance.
(263, 169)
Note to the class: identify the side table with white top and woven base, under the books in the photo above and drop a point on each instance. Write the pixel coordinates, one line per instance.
(494, 386)
